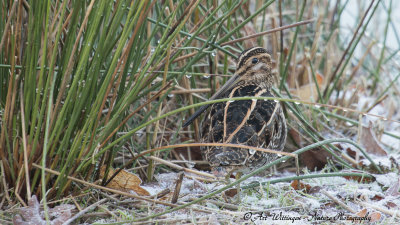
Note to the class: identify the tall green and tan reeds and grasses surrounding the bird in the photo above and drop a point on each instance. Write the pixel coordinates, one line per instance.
(85, 84)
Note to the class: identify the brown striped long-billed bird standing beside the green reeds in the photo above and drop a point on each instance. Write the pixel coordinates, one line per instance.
(255, 122)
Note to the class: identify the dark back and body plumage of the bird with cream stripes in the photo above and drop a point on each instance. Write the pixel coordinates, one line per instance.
(258, 123)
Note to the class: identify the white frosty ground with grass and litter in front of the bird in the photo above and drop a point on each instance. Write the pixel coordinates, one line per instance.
(280, 203)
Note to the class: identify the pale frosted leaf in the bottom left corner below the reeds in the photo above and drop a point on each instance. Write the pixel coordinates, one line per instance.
(32, 215)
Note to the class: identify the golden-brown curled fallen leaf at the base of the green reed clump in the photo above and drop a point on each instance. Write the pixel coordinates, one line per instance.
(124, 181)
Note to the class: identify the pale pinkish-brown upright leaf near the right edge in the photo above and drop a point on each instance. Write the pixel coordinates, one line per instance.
(370, 142)
